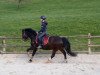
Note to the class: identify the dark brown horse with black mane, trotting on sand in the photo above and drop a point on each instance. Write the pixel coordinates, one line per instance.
(55, 43)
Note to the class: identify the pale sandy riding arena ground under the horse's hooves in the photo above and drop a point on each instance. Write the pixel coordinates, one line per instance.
(17, 64)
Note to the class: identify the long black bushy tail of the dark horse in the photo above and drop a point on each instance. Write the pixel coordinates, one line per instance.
(67, 47)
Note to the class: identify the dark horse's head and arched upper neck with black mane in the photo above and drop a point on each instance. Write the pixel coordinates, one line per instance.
(28, 33)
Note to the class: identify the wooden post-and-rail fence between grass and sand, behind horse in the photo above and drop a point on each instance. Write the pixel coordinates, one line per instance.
(89, 37)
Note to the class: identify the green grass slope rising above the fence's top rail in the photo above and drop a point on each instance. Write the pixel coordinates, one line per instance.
(65, 17)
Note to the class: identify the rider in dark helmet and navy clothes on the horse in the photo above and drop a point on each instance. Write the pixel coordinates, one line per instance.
(42, 31)
